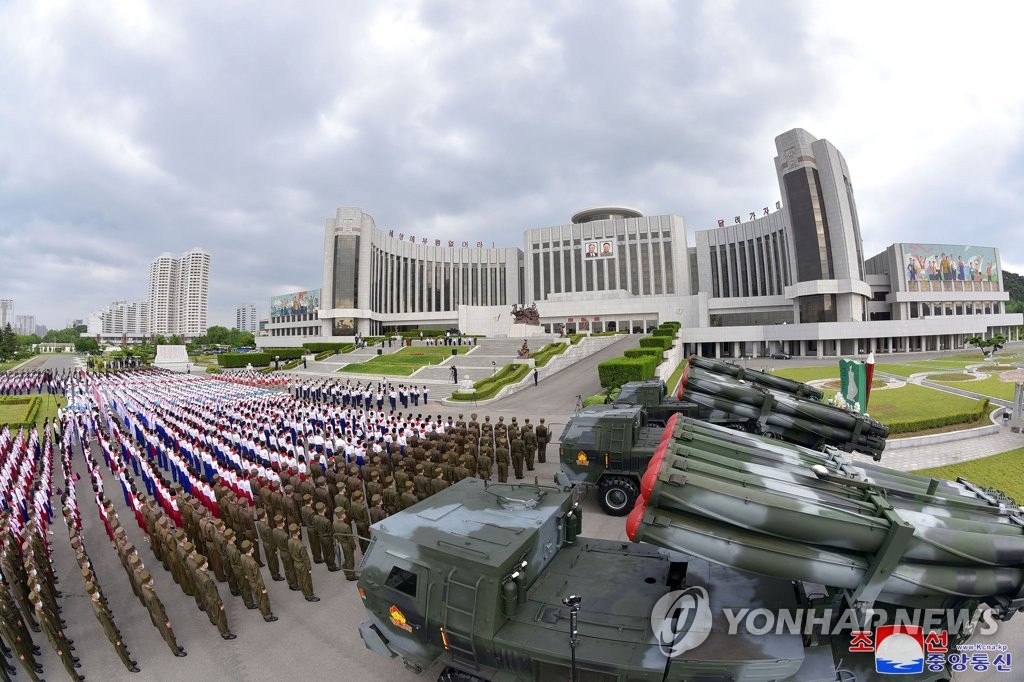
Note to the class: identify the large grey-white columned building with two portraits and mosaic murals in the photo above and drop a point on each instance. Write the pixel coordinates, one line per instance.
(791, 279)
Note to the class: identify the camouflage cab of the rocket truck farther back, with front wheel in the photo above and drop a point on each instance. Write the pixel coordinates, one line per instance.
(610, 447)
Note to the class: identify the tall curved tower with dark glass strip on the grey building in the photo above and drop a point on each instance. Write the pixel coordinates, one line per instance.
(827, 263)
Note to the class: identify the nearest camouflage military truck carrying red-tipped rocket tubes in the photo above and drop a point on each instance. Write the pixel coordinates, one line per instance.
(495, 582)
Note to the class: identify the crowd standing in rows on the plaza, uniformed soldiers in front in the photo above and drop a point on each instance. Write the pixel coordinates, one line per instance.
(225, 480)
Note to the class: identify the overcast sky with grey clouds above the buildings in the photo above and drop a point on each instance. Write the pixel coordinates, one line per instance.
(129, 130)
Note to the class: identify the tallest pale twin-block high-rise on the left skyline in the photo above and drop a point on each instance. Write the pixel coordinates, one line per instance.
(180, 294)
